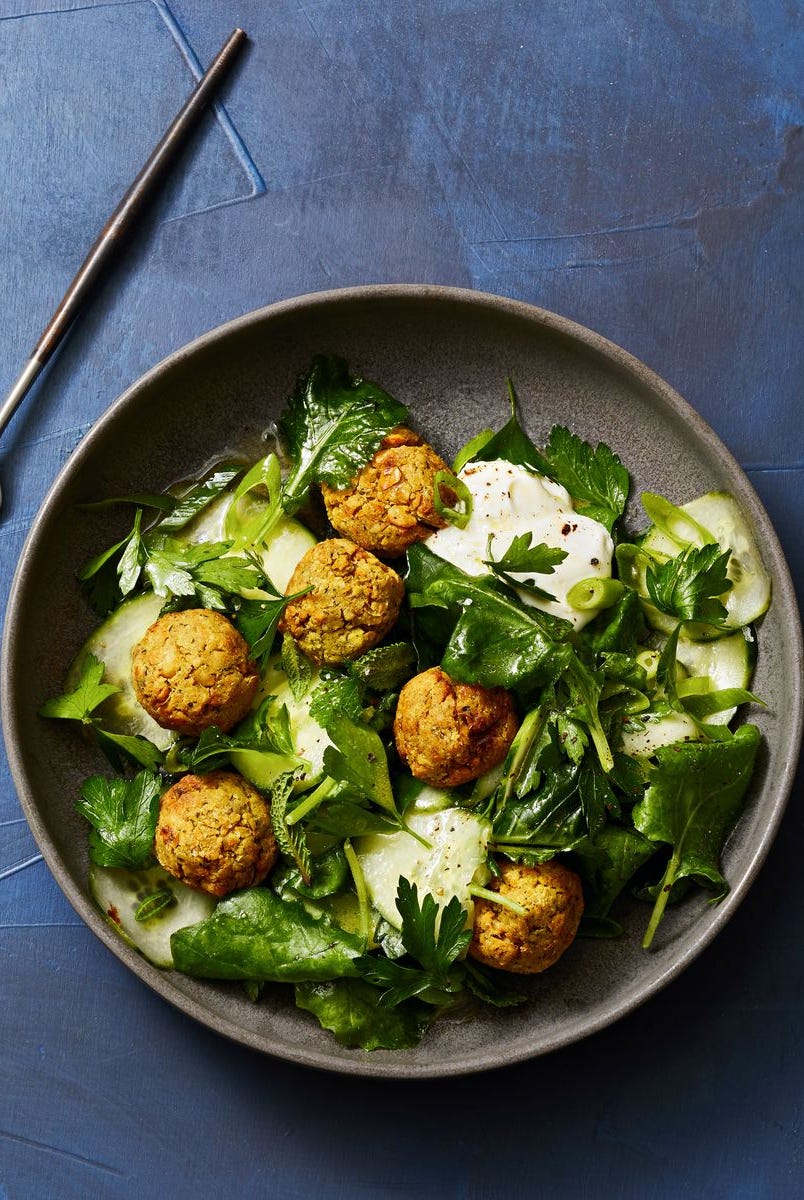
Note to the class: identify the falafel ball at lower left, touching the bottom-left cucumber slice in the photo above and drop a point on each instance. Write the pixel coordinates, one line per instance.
(215, 833)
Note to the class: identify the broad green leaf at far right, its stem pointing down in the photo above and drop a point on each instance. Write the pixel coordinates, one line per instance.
(693, 801)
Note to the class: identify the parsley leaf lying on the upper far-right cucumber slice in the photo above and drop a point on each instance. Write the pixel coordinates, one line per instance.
(689, 586)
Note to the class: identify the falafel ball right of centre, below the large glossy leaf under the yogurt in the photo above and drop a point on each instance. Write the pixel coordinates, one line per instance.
(449, 734)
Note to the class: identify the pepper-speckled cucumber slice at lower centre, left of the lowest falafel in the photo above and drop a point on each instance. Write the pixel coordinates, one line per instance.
(448, 867)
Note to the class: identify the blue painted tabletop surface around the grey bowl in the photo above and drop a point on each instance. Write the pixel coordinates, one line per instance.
(638, 169)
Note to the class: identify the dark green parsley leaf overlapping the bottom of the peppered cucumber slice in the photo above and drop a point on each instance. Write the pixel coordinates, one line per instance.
(434, 980)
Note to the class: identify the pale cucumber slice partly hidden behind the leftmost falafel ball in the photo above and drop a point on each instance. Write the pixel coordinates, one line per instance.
(112, 644)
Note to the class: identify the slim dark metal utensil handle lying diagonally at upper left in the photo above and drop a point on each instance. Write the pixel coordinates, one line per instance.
(109, 242)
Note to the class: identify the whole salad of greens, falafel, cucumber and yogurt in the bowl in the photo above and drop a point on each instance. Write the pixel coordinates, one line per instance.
(399, 734)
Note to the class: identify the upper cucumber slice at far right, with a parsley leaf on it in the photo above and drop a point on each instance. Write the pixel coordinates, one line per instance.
(719, 514)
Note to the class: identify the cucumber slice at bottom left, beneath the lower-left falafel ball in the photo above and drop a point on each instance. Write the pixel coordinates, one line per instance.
(119, 892)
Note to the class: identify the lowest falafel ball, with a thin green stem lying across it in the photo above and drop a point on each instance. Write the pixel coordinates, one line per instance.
(553, 898)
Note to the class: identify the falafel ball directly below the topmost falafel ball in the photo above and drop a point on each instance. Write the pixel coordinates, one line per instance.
(353, 604)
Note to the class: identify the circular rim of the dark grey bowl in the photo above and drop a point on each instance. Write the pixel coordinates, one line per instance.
(374, 1065)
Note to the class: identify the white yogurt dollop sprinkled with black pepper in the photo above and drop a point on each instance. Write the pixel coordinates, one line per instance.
(508, 501)
